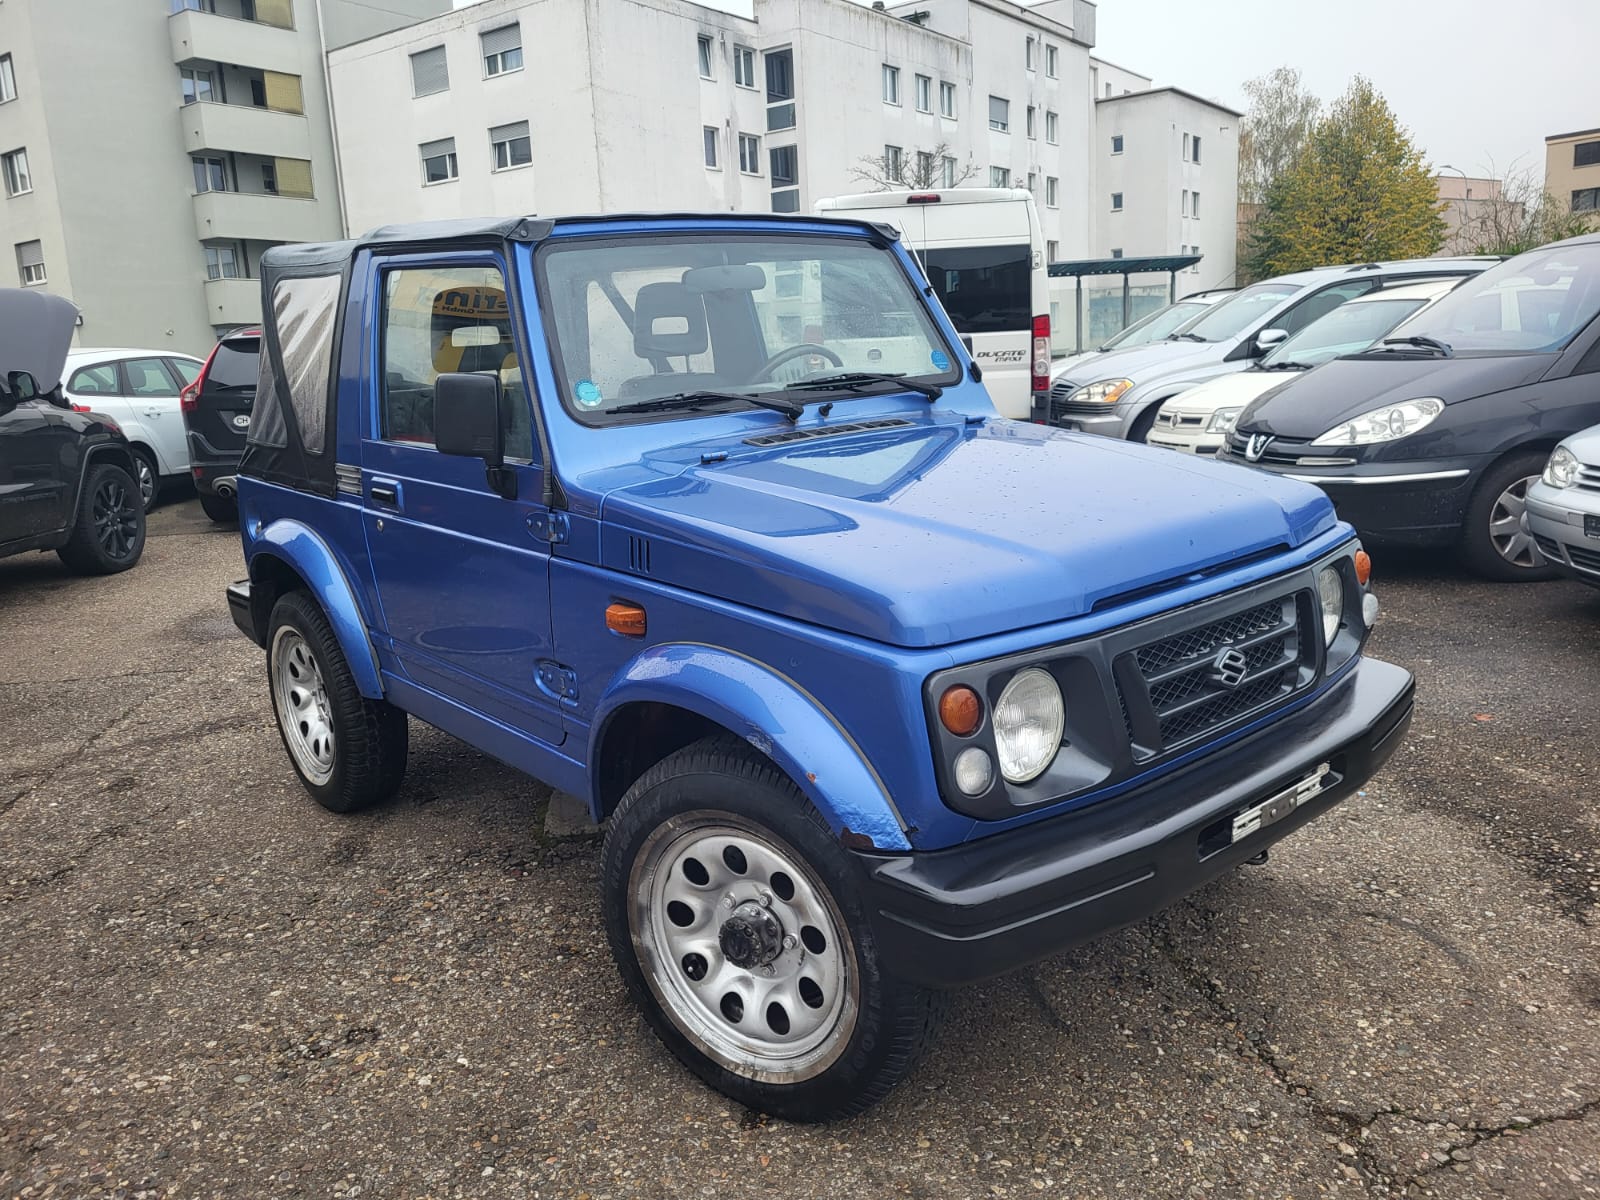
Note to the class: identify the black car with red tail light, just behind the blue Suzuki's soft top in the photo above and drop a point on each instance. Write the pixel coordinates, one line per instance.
(217, 417)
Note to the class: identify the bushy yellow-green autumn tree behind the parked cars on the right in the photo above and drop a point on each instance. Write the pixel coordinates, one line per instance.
(1359, 191)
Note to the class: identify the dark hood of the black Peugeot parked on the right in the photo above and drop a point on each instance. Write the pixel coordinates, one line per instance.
(1346, 388)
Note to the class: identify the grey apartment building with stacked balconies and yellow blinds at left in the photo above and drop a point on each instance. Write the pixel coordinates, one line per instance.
(153, 148)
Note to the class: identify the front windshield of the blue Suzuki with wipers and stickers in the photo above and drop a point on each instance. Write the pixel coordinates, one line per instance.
(650, 318)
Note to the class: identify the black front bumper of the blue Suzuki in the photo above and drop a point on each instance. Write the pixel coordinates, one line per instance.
(956, 916)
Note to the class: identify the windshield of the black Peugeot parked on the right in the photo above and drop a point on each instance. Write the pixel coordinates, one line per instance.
(1537, 302)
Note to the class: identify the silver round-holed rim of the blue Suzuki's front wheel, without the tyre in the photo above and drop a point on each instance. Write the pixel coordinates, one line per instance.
(743, 946)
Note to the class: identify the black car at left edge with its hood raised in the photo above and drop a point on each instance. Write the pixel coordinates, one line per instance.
(66, 478)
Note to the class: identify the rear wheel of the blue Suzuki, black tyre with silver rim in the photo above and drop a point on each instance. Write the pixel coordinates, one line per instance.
(367, 740)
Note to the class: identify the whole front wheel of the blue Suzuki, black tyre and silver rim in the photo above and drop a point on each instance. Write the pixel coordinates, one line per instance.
(738, 927)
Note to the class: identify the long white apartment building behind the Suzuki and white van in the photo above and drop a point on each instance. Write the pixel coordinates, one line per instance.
(546, 106)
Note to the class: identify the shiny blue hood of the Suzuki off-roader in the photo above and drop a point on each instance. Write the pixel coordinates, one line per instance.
(943, 532)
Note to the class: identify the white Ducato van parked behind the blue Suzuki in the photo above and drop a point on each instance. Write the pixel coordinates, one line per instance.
(985, 254)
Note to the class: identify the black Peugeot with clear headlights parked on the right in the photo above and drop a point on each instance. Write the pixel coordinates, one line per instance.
(1433, 436)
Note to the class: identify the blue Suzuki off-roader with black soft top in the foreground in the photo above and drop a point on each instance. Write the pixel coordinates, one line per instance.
(710, 522)
